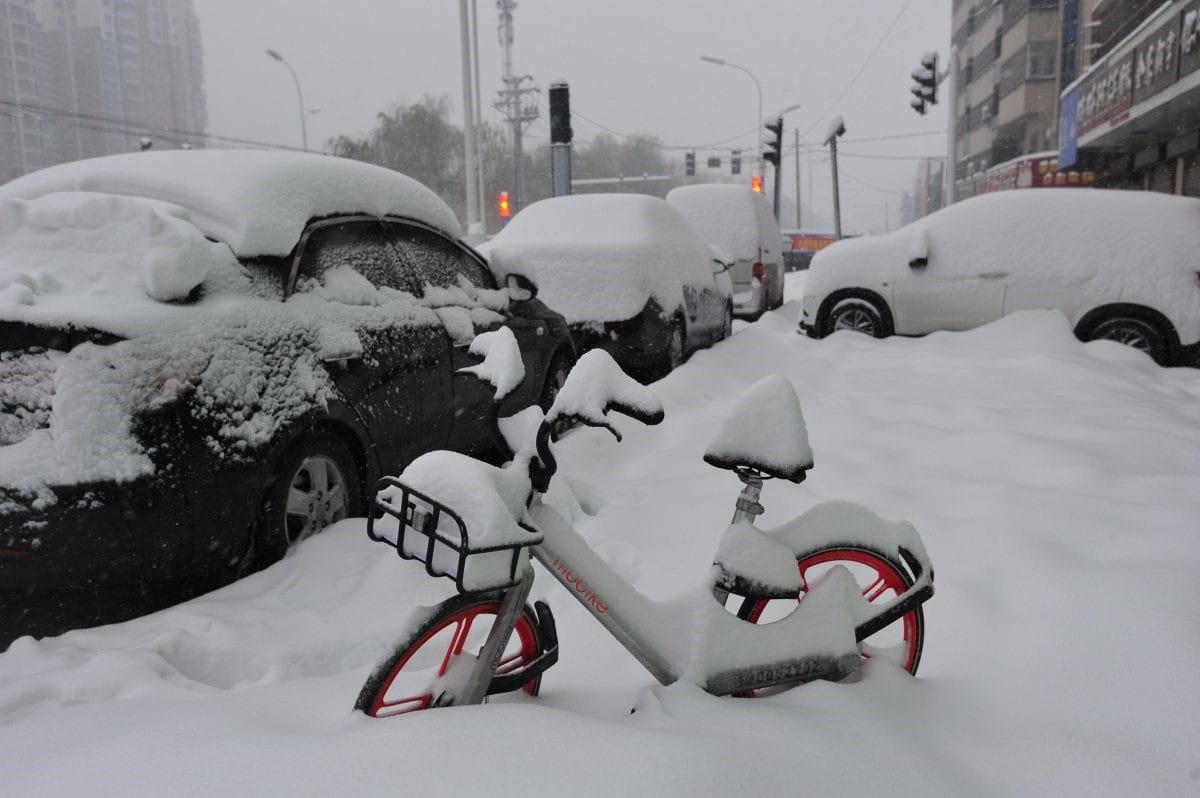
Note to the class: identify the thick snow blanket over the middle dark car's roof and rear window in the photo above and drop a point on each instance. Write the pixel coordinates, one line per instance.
(601, 257)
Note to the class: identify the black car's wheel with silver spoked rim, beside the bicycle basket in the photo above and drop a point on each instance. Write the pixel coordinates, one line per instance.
(317, 483)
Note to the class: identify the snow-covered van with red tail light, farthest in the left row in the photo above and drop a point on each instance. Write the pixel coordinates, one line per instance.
(739, 221)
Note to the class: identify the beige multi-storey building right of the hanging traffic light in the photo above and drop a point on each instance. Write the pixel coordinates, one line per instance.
(1009, 58)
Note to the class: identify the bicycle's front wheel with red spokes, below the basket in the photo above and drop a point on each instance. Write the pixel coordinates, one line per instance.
(412, 676)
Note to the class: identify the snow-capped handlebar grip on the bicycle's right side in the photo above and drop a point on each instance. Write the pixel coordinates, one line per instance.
(598, 385)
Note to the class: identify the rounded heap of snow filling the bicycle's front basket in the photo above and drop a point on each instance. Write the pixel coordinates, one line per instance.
(490, 501)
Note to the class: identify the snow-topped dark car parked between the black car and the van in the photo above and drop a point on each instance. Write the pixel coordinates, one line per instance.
(629, 274)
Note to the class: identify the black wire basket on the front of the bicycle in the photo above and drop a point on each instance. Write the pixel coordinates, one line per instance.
(433, 533)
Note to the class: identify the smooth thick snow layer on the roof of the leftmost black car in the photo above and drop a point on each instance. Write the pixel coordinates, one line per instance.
(257, 202)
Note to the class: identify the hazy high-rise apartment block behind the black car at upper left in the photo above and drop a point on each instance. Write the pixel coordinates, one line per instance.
(105, 75)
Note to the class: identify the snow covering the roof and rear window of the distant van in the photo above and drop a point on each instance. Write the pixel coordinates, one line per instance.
(727, 215)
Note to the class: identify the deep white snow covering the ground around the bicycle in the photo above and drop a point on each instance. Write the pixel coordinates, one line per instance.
(1058, 489)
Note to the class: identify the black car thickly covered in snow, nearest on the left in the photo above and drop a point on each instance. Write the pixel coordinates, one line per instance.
(211, 356)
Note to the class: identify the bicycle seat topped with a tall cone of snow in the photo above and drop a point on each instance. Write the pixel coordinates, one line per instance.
(764, 434)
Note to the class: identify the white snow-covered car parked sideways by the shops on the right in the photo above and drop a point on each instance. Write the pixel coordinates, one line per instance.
(1120, 265)
